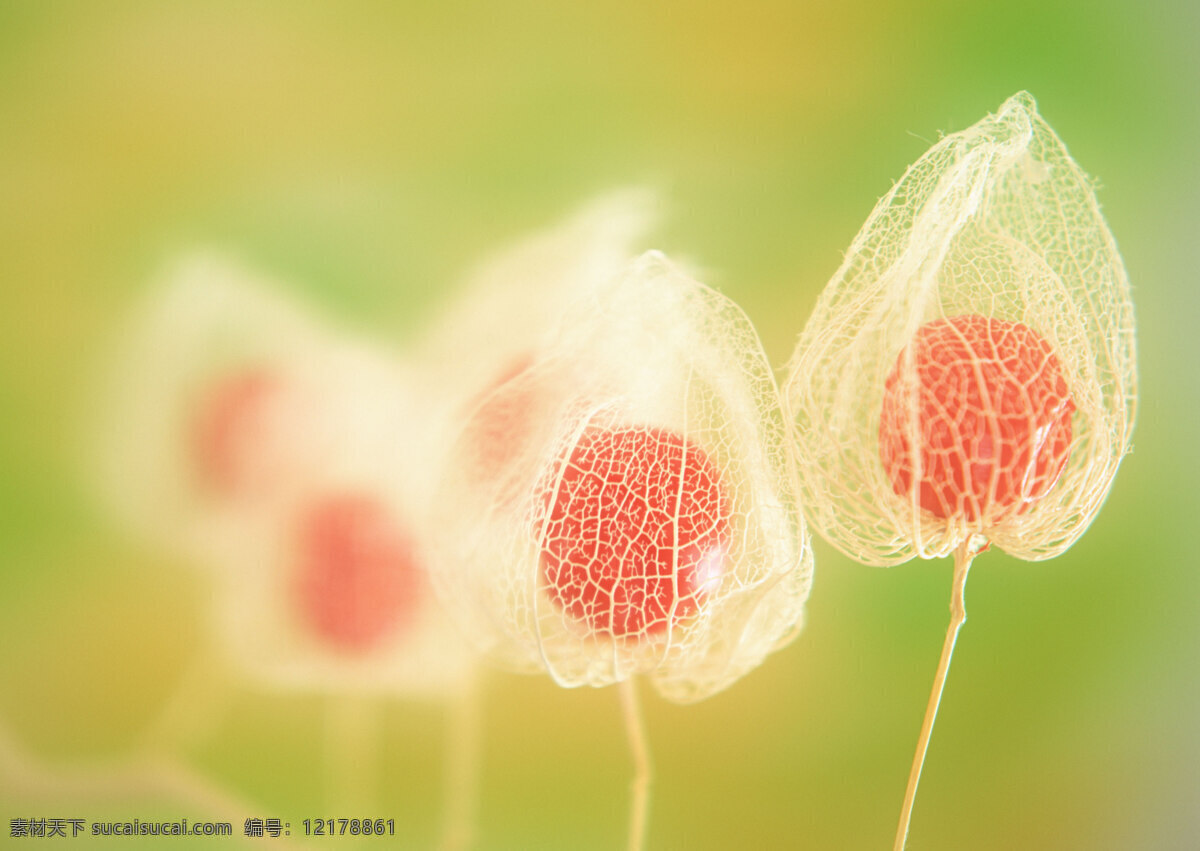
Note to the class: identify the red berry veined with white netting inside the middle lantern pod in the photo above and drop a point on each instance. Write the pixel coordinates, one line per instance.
(639, 531)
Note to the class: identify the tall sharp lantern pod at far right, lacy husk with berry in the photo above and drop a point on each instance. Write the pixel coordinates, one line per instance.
(986, 292)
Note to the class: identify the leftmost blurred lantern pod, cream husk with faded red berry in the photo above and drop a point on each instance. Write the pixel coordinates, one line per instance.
(208, 405)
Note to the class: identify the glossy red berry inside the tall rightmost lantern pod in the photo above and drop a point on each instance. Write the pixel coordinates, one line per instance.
(993, 418)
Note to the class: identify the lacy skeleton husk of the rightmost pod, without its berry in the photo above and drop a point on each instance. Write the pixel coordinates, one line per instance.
(998, 221)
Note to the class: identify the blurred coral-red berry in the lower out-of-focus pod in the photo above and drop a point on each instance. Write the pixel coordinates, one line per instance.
(357, 582)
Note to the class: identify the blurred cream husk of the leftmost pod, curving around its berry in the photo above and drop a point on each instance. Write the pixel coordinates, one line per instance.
(208, 319)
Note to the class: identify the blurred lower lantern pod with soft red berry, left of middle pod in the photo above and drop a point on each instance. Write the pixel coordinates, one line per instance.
(326, 588)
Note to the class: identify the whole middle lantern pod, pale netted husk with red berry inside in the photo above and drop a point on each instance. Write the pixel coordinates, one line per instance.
(643, 517)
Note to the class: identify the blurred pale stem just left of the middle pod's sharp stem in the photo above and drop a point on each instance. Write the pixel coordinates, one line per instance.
(460, 795)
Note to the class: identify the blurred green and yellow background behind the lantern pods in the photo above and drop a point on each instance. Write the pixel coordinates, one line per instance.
(369, 153)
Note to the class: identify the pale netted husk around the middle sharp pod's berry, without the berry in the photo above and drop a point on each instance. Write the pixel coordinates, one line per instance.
(652, 351)
